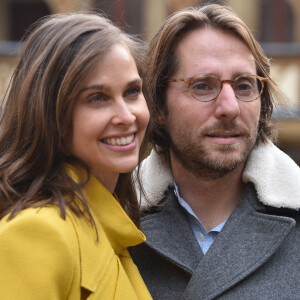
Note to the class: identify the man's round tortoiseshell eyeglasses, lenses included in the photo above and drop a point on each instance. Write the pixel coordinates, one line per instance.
(205, 88)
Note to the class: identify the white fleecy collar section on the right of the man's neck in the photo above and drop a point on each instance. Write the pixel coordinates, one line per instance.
(275, 176)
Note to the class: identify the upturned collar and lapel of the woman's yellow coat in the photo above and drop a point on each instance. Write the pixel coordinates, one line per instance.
(115, 229)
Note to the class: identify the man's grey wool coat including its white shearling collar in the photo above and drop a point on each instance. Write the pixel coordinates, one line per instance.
(255, 256)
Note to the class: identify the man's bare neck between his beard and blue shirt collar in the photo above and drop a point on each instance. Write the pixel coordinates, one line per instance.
(211, 200)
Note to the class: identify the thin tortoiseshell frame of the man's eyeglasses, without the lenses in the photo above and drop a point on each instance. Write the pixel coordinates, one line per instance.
(231, 82)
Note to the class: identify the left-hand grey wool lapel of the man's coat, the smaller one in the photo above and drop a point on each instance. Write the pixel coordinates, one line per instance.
(161, 230)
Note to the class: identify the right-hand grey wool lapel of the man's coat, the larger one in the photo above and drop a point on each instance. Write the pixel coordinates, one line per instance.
(248, 239)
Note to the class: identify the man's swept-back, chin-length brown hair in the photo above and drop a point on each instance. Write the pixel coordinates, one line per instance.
(161, 63)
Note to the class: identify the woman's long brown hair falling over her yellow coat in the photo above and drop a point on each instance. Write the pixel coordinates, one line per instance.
(58, 55)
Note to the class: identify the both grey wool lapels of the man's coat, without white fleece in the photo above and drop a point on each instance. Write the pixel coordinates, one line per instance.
(248, 240)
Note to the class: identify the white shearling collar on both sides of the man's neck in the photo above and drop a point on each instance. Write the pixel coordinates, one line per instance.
(275, 175)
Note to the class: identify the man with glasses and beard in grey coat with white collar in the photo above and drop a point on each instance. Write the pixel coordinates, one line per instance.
(222, 221)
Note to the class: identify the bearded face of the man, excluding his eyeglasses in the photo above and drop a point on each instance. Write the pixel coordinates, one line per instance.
(213, 138)
